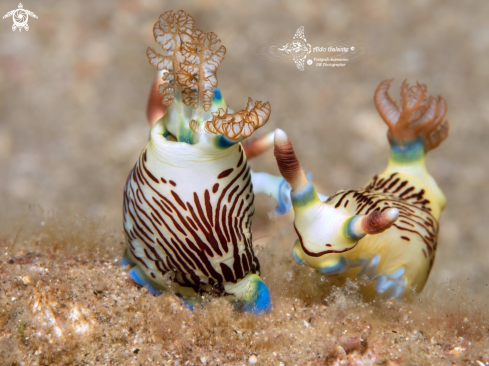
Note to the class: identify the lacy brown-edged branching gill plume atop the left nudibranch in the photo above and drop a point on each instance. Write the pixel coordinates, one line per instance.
(188, 67)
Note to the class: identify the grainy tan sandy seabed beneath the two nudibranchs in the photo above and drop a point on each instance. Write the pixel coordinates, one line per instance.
(66, 300)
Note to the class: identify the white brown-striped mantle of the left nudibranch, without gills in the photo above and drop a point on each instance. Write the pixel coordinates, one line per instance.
(201, 232)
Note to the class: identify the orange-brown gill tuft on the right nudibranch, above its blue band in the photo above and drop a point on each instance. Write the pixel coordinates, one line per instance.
(418, 117)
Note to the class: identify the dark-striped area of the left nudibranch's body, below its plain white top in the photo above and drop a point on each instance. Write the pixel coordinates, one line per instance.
(191, 239)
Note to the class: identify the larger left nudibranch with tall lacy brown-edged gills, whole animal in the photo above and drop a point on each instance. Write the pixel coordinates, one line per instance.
(188, 202)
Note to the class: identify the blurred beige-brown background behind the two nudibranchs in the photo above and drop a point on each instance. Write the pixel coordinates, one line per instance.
(73, 93)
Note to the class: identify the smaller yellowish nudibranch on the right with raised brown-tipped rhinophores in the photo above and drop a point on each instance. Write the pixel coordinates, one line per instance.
(388, 230)
